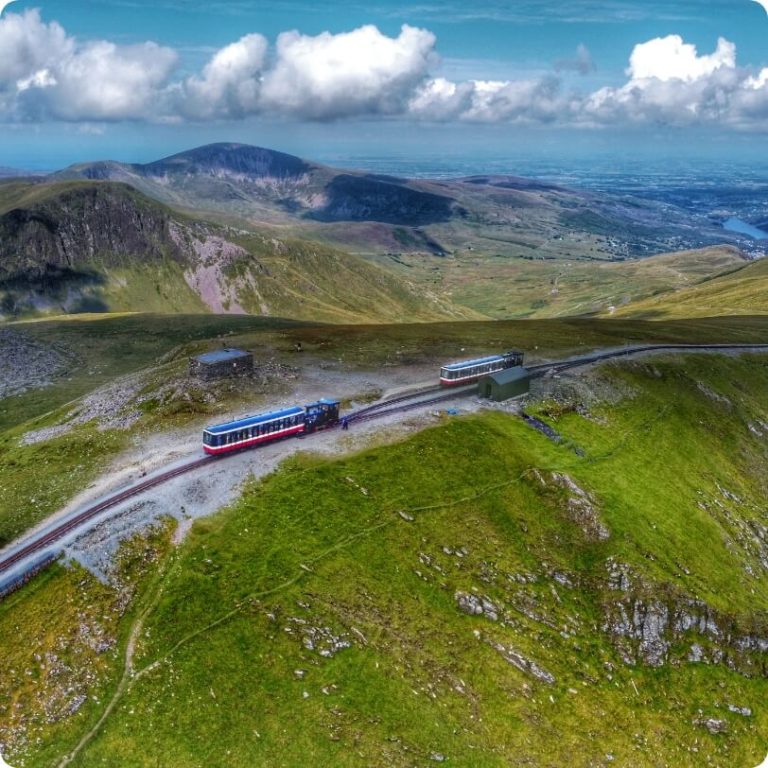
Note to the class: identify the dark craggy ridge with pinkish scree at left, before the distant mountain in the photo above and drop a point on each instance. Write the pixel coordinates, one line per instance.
(105, 246)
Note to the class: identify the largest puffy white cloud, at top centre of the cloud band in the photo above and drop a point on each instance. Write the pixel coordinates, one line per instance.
(362, 72)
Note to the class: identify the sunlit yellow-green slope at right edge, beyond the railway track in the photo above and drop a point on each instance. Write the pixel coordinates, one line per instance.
(742, 291)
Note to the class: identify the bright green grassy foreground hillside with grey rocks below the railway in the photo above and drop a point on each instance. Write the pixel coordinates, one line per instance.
(476, 594)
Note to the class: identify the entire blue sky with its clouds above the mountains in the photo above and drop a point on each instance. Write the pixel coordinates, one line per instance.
(134, 80)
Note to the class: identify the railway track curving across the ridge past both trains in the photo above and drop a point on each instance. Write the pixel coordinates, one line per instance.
(400, 404)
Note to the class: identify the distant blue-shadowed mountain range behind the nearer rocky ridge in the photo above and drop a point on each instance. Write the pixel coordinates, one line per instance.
(371, 213)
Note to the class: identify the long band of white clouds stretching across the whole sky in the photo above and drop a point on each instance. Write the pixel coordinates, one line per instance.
(46, 74)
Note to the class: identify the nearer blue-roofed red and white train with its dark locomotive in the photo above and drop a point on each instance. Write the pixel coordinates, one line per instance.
(273, 425)
